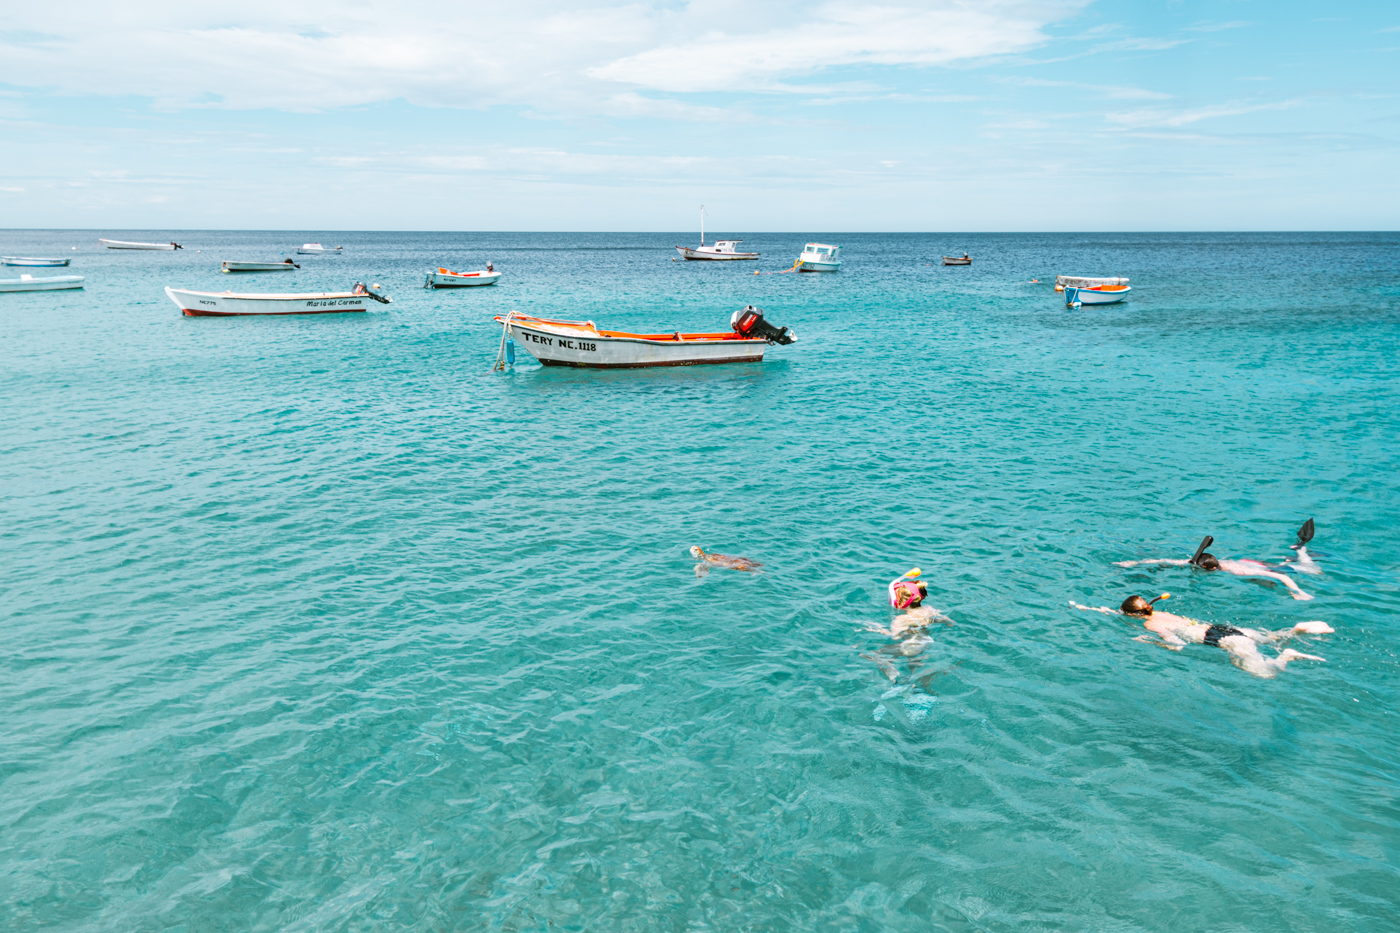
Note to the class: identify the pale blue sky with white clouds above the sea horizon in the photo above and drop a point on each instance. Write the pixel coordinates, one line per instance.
(541, 116)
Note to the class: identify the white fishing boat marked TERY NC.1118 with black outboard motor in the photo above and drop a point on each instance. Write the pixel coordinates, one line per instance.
(583, 345)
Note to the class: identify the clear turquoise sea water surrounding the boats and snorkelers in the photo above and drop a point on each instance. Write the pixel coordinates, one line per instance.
(314, 624)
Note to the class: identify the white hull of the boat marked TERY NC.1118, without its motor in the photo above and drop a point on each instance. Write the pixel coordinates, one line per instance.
(600, 352)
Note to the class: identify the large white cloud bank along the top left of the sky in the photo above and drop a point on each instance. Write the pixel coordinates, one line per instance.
(542, 54)
